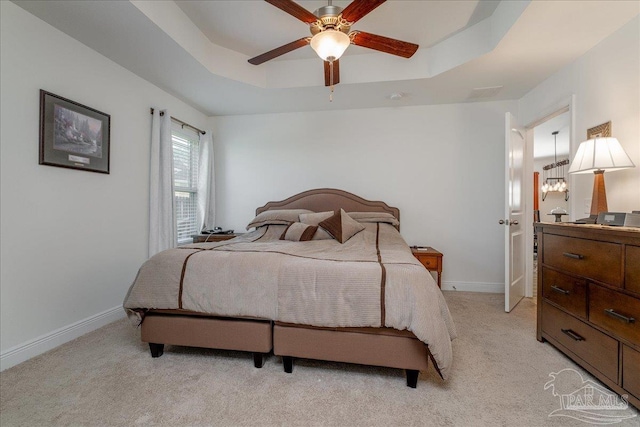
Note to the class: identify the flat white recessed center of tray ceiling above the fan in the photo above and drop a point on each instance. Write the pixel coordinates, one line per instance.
(270, 27)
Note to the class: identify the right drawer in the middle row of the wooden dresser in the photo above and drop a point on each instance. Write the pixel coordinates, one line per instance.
(615, 312)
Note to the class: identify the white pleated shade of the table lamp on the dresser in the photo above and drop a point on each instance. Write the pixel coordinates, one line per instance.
(600, 154)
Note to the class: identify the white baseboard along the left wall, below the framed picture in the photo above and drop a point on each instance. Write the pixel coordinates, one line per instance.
(44, 343)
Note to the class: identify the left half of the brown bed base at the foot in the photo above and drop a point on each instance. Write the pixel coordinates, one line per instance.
(251, 335)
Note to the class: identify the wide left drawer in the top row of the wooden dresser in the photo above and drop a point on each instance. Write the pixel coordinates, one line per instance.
(600, 261)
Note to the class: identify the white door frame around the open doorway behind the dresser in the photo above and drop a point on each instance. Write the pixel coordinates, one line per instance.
(553, 110)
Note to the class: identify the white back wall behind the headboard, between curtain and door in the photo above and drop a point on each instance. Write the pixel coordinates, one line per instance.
(441, 165)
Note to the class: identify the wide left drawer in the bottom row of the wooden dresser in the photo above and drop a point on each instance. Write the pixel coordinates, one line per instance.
(597, 349)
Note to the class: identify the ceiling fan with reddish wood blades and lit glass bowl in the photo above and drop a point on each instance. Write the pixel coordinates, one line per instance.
(331, 35)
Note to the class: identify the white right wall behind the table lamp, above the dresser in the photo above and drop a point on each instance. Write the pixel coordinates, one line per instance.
(606, 85)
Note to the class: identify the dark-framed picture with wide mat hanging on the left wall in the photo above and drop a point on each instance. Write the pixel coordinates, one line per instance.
(73, 135)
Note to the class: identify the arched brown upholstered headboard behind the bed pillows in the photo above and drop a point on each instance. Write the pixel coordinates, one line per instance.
(330, 199)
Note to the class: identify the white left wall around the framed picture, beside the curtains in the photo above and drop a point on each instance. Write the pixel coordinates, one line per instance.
(72, 241)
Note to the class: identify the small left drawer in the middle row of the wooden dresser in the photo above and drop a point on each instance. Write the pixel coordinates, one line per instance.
(566, 291)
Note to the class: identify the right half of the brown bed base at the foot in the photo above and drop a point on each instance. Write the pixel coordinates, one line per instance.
(367, 346)
